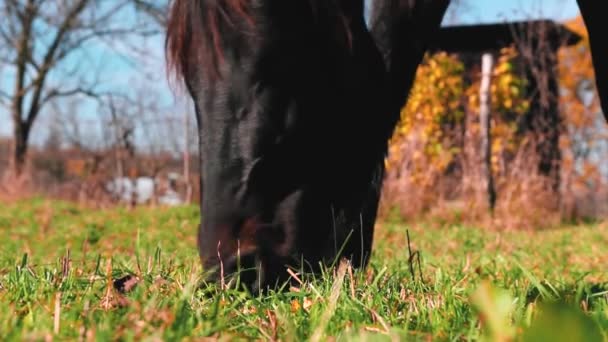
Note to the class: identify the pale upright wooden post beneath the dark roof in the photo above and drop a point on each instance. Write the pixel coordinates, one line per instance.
(487, 186)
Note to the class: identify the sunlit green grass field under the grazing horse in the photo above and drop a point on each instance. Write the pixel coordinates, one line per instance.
(58, 262)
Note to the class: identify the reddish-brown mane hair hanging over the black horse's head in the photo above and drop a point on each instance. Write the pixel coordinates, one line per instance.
(194, 33)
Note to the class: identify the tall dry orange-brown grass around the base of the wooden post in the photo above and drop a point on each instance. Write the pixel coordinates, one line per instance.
(526, 199)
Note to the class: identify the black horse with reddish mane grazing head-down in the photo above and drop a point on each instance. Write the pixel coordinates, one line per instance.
(295, 103)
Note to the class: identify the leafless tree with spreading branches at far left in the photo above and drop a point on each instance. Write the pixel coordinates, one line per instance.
(40, 41)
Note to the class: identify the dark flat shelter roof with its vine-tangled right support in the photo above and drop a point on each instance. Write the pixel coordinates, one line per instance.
(537, 43)
